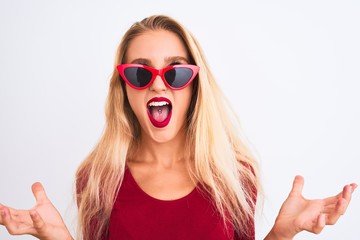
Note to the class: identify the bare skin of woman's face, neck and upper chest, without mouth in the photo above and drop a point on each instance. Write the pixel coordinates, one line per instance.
(160, 167)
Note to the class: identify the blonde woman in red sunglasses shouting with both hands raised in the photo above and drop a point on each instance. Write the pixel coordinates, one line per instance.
(171, 163)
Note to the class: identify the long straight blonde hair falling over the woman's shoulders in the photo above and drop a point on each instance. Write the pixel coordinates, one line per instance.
(221, 162)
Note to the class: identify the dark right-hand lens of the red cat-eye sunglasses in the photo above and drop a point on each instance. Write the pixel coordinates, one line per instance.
(178, 77)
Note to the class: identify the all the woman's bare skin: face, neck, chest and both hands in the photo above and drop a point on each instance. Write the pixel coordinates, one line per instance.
(161, 159)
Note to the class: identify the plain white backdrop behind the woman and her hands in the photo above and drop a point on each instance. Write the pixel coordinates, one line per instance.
(291, 70)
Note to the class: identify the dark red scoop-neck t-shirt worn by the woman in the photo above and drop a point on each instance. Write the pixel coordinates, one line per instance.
(138, 216)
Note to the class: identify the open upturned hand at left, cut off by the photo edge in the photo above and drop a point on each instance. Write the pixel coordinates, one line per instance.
(43, 221)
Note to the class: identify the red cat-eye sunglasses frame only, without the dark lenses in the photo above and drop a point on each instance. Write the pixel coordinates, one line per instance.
(157, 72)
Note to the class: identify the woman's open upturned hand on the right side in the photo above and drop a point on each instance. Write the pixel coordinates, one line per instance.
(298, 214)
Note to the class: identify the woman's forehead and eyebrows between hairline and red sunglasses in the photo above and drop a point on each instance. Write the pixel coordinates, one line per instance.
(156, 46)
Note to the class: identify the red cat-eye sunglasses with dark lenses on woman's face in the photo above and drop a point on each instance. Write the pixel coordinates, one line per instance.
(175, 77)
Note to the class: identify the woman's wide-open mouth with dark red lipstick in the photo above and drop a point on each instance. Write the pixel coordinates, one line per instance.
(159, 111)
